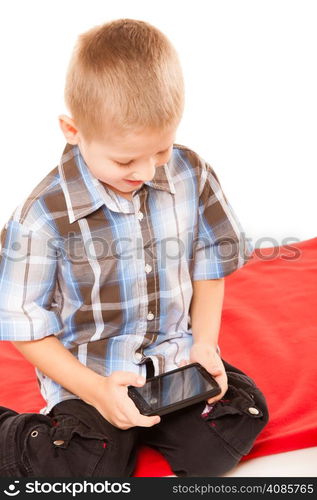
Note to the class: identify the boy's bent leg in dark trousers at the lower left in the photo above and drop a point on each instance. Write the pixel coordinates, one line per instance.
(73, 440)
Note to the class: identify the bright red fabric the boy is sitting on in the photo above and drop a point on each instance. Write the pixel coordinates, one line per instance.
(268, 330)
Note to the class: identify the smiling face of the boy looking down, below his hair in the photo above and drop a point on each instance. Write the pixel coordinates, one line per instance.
(132, 157)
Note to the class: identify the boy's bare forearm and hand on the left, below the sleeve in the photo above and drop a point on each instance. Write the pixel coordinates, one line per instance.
(109, 395)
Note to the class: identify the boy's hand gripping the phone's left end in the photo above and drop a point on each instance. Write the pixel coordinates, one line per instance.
(112, 401)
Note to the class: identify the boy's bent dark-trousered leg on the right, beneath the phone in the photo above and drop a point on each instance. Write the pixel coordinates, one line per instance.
(213, 443)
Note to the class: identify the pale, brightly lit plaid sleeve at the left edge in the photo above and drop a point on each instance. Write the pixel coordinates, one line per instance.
(28, 266)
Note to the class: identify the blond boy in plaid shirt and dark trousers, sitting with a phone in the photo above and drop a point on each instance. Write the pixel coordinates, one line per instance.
(113, 270)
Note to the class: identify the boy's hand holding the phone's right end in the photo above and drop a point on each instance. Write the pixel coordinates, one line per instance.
(208, 357)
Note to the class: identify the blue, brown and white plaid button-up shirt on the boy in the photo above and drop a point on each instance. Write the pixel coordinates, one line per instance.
(111, 278)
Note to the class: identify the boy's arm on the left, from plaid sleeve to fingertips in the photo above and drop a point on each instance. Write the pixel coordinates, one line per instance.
(28, 262)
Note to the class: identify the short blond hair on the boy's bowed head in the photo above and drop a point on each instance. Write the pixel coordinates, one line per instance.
(124, 74)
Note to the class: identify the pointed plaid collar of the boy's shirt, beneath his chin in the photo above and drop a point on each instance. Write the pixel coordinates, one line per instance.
(84, 193)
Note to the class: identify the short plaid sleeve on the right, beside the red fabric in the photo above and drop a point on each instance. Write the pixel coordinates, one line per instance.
(221, 246)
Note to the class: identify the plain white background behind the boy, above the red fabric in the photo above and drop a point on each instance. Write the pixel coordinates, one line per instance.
(251, 100)
